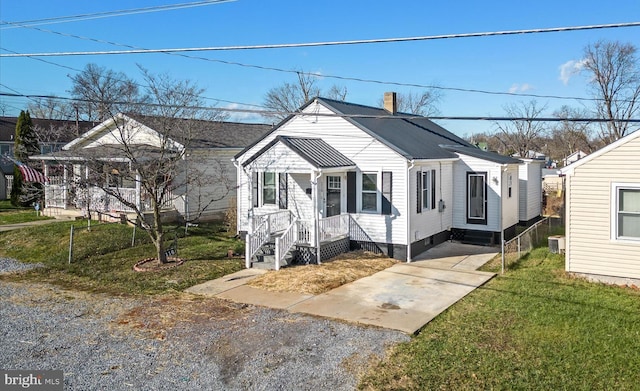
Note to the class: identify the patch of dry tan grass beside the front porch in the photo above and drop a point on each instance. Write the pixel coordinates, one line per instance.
(316, 279)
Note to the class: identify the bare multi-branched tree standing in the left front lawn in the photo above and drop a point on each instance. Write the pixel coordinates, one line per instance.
(164, 164)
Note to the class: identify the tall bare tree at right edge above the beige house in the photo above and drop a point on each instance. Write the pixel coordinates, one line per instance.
(614, 75)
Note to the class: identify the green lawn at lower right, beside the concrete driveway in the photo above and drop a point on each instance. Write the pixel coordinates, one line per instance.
(535, 327)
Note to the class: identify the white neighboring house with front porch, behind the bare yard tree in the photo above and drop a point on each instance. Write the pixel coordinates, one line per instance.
(212, 147)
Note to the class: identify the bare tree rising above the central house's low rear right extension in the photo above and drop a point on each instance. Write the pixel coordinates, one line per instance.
(522, 135)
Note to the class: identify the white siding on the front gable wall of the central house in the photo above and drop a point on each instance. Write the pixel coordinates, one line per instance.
(370, 156)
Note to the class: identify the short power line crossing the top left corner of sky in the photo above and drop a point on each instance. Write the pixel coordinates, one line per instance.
(108, 14)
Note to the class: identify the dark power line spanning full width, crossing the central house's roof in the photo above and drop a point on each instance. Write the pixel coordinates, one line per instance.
(389, 116)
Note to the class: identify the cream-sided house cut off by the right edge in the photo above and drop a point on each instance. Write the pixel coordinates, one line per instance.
(602, 205)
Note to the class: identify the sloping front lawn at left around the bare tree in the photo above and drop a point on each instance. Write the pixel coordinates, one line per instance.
(103, 257)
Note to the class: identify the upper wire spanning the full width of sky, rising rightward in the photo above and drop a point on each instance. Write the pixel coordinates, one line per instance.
(326, 43)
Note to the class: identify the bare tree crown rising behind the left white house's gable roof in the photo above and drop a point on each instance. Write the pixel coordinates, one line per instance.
(101, 91)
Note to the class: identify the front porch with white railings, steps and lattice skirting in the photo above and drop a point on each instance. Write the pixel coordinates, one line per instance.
(281, 239)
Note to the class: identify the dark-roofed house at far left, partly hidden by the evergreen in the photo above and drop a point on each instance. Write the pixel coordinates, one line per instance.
(52, 135)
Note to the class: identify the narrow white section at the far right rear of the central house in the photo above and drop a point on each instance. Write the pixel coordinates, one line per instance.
(530, 183)
